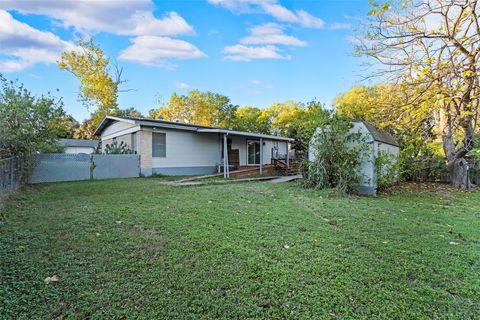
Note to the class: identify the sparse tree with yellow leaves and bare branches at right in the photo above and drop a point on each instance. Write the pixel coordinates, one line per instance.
(432, 47)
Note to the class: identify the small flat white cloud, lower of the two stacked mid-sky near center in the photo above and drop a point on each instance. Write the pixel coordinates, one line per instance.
(240, 52)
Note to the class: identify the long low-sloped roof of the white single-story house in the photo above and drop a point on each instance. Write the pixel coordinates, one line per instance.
(181, 126)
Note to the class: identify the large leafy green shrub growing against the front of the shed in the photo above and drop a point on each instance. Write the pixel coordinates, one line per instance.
(338, 153)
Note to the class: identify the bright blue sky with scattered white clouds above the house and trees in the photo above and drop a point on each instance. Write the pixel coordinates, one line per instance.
(256, 52)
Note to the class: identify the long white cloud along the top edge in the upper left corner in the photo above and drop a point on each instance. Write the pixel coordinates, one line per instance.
(126, 17)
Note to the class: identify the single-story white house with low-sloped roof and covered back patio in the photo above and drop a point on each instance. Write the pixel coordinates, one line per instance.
(173, 148)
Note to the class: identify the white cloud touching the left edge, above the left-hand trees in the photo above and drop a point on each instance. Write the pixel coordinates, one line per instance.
(26, 45)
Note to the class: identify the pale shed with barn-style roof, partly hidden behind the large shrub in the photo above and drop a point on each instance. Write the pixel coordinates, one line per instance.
(377, 141)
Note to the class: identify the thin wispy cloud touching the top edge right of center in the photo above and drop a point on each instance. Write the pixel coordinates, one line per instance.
(272, 8)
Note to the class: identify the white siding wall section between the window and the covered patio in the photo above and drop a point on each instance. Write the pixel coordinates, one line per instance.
(188, 149)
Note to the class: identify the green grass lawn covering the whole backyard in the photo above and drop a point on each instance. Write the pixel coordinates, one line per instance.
(138, 249)
